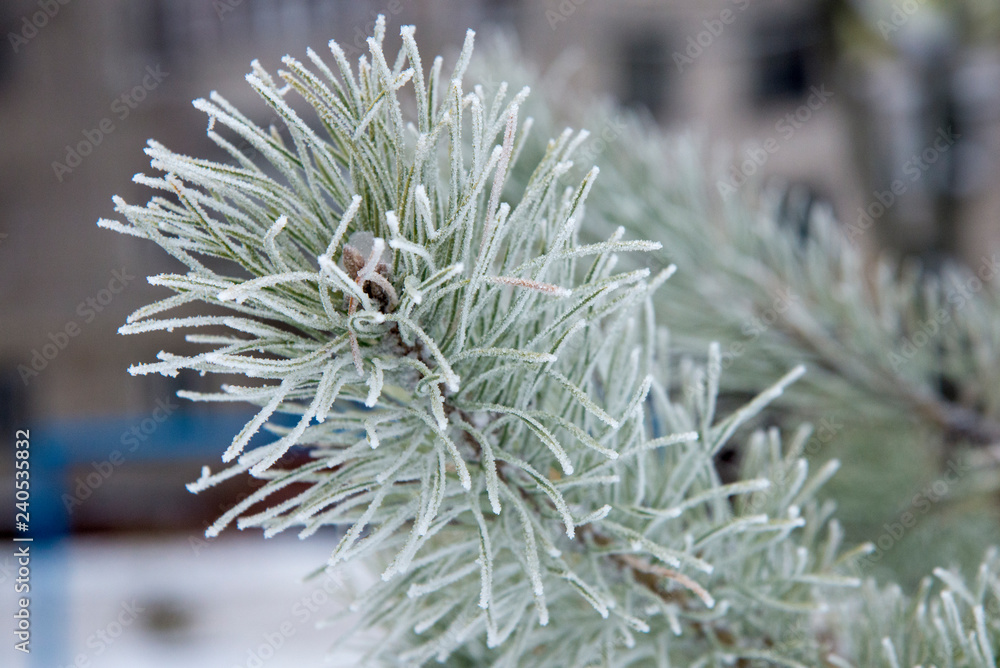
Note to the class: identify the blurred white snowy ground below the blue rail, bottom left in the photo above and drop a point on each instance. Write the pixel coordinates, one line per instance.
(238, 601)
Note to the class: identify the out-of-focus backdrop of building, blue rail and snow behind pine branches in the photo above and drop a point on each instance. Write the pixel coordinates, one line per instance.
(888, 111)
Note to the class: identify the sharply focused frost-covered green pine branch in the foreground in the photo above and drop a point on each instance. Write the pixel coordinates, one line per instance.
(485, 398)
